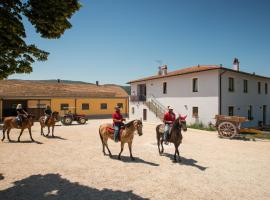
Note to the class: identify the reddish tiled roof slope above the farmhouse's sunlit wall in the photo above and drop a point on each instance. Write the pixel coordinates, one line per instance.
(188, 70)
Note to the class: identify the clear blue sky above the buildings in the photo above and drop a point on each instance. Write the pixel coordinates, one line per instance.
(115, 41)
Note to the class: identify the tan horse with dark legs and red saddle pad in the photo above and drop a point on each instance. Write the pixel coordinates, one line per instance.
(126, 136)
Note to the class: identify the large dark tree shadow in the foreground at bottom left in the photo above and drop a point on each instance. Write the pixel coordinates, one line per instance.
(54, 187)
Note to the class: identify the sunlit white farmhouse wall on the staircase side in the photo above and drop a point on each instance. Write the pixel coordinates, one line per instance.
(182, 99)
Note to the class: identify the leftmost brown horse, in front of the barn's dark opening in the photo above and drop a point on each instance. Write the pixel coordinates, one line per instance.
(11, 122)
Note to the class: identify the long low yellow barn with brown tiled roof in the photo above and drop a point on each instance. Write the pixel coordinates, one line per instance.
(92, 100)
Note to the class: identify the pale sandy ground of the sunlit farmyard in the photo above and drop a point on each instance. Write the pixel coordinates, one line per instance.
(72, 166)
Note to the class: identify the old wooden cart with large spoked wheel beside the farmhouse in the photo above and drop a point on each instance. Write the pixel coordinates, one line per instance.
(229, 126)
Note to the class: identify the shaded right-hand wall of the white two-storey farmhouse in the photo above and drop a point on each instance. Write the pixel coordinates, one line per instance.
(241, 100)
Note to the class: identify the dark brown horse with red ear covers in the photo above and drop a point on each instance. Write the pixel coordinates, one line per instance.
(175, 135)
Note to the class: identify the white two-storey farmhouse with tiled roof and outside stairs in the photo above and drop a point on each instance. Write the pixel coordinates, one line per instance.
(201, 92)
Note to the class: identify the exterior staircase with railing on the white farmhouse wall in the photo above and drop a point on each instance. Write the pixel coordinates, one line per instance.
(156, 107)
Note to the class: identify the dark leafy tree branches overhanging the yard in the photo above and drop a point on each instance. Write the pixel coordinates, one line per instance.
(50, 19)
